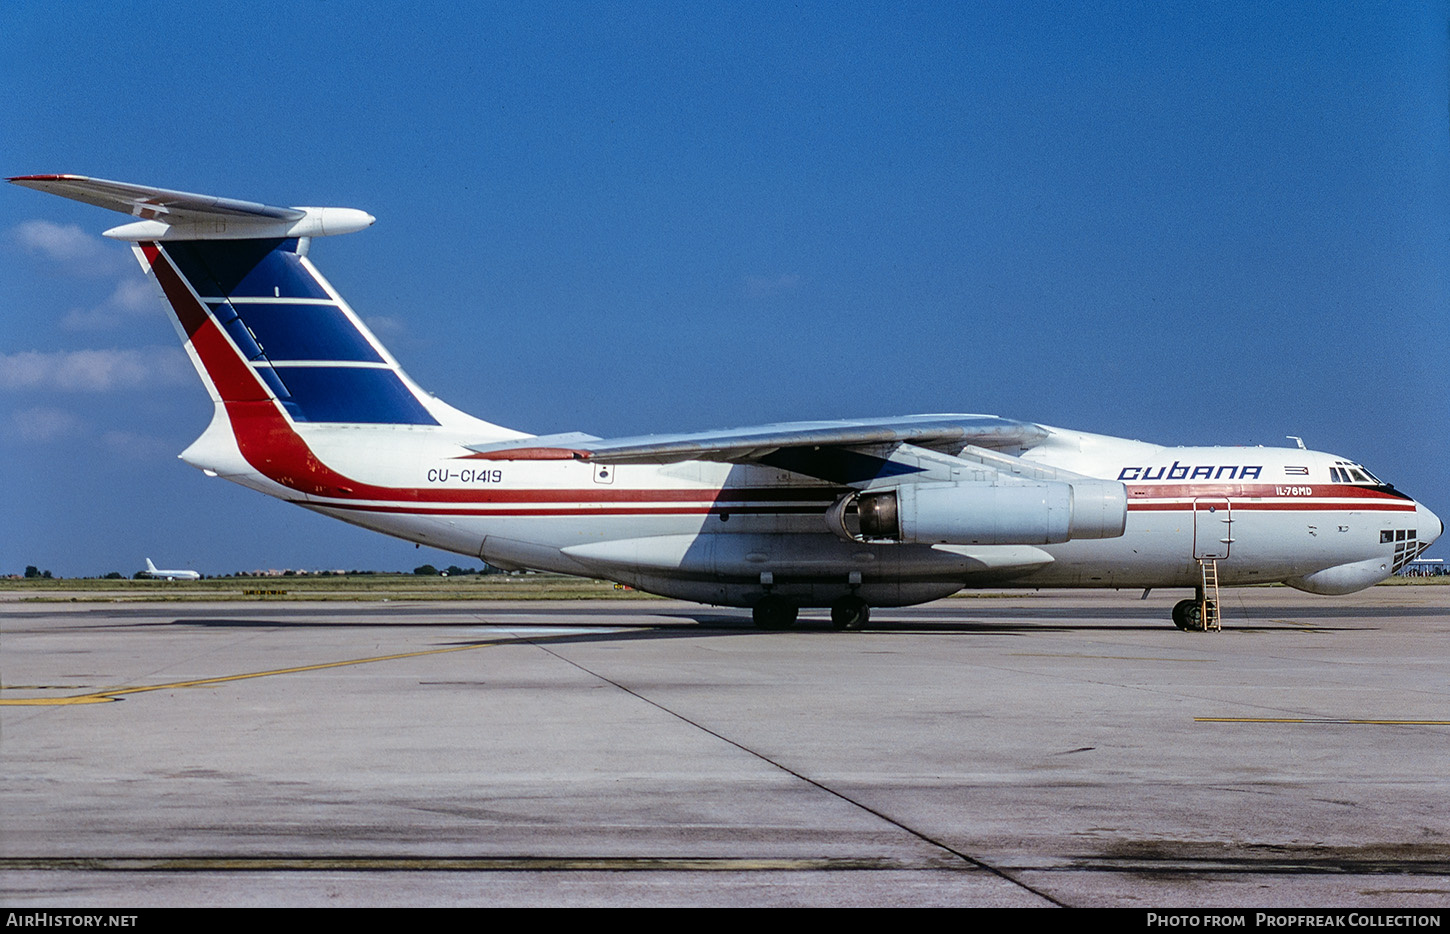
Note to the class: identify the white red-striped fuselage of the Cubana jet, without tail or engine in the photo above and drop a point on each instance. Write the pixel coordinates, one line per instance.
(710, 533)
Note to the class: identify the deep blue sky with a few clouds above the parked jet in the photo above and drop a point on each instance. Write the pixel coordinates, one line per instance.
(1190, 224)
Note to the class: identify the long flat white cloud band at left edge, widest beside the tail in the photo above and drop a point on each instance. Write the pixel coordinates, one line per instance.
(95, 371)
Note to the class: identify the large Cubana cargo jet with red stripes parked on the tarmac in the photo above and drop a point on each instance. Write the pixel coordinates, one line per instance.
(314, 410)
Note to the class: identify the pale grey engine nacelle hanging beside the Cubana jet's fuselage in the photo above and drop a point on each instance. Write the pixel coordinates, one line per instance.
(985, 514)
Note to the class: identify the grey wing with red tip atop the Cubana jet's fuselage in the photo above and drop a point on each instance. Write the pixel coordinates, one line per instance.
(846, 452)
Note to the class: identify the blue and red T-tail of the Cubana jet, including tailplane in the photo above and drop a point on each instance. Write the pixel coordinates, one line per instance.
(279, 350)
